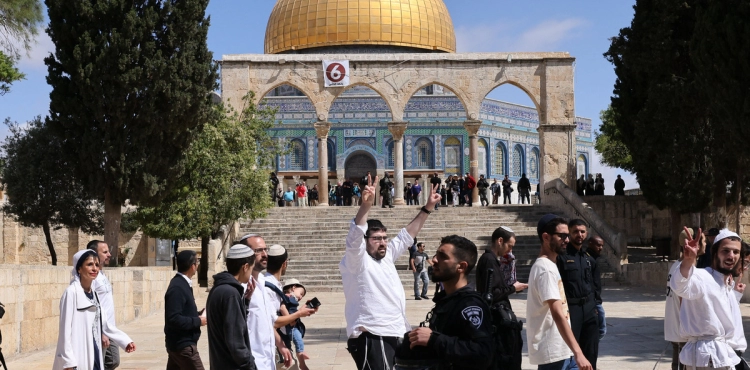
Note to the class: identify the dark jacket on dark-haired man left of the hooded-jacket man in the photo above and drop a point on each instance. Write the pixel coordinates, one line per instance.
(182, 326)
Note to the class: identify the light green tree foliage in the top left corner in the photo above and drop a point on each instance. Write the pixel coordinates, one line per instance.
(19, 20)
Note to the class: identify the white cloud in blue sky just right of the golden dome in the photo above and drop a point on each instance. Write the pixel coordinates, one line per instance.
(545, 36)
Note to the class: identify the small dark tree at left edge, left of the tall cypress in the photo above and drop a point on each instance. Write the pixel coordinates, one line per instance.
(40, 190)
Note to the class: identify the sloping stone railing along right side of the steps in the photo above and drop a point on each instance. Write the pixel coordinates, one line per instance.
(560, 195)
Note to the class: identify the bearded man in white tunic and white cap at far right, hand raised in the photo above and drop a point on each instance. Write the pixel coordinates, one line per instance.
(710, 319)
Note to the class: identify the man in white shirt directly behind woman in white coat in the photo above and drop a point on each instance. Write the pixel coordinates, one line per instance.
(112, 337)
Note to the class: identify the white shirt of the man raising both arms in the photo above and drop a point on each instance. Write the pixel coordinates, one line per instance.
(375, 298)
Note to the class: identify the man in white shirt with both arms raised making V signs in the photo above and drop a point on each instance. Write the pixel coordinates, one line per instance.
(375, 307)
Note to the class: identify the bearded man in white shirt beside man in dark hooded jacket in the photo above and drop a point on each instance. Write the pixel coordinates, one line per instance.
(262, 312)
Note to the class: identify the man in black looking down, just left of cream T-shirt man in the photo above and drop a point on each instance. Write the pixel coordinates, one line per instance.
(503, 285)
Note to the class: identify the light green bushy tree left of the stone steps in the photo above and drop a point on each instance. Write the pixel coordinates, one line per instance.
(222, 182)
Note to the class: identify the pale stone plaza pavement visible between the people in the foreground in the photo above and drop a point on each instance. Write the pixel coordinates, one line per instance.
(634, 339)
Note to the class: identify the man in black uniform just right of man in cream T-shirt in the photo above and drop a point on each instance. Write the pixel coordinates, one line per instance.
(576, 268)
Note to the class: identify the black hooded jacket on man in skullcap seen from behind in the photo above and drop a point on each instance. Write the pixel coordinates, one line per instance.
(228, 339)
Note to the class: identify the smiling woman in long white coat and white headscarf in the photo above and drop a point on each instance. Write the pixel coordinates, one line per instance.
(79, 341)
